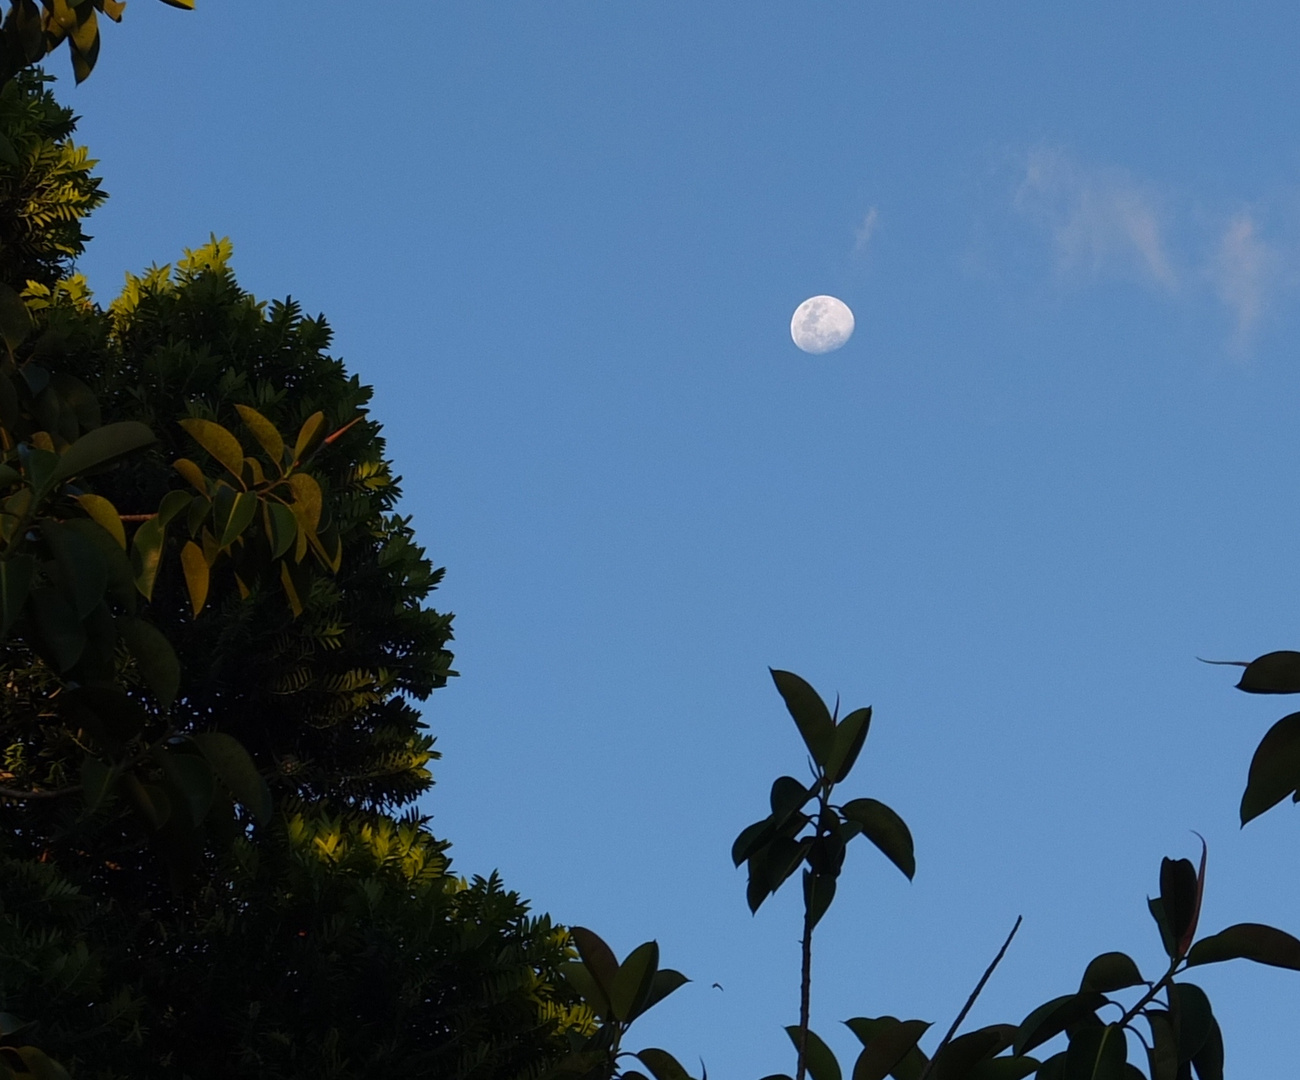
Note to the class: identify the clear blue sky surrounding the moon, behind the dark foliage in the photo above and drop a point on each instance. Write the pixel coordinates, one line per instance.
(1055, 465)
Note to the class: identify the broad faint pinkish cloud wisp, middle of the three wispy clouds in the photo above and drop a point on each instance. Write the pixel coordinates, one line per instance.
(1103, 222)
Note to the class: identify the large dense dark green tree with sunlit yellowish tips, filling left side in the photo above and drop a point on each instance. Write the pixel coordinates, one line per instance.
(215, 630)
